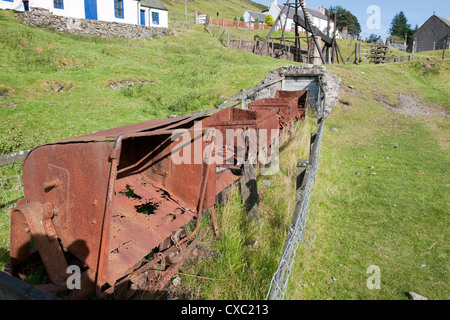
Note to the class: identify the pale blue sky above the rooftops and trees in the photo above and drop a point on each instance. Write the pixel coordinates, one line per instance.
(417, 11)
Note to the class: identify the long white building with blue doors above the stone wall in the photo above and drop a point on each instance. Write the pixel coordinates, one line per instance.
(151, 13)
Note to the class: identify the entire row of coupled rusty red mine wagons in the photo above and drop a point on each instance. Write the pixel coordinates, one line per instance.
(118, 201)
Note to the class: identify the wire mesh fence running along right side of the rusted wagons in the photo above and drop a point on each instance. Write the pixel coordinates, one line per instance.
(287, 280)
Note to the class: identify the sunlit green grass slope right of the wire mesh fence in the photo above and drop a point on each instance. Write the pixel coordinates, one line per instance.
(397, 218)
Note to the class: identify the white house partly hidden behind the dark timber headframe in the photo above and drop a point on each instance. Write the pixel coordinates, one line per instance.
(320, 20)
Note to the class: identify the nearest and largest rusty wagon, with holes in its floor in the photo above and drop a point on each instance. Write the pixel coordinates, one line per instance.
(109, 199)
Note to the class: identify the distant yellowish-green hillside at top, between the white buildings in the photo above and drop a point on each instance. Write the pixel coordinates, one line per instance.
(228, 9)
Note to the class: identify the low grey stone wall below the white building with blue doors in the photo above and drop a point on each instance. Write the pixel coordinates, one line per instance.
(90, 27)
